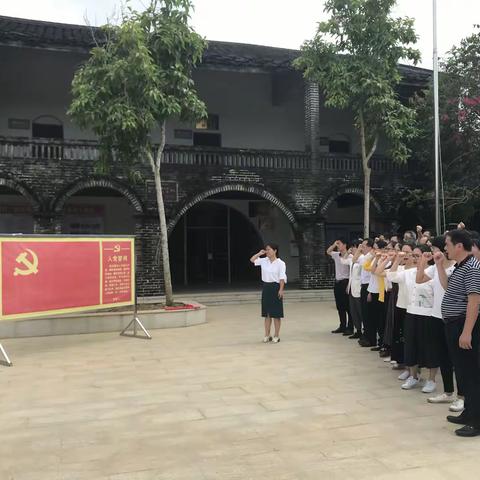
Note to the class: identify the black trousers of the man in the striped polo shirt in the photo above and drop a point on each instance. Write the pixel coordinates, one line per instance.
(467, 367)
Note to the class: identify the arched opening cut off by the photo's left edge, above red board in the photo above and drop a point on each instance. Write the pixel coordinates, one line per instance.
(16, 212)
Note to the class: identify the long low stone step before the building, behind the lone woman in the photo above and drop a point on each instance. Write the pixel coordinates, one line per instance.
(245, 297)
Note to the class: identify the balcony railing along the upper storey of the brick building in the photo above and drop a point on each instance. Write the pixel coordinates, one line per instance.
(71, 150)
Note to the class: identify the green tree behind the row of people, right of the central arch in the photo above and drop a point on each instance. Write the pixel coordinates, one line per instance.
(354, 59)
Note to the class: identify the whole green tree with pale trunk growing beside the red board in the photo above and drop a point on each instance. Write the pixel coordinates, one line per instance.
(137, 77)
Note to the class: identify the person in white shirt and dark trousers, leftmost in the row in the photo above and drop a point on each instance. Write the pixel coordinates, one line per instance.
(337, 251)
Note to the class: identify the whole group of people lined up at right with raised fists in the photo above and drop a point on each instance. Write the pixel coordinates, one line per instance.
(416, 301)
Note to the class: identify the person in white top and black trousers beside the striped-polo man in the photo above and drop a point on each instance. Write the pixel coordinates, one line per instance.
(435, 340)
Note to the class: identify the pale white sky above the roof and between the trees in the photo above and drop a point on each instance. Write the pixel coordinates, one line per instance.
(278, 23)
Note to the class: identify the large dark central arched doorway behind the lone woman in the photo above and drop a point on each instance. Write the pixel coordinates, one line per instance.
(212, 242)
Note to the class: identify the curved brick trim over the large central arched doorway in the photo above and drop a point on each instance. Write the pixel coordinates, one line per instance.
(238, 187)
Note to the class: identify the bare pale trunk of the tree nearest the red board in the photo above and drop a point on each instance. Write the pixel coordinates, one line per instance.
(155, 164)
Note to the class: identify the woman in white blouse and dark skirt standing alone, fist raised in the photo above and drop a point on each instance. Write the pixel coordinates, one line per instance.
(274, 278)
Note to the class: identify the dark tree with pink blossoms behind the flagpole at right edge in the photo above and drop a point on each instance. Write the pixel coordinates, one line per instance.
(459, 102)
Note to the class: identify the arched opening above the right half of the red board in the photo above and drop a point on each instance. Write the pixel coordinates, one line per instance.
(98, 211)
